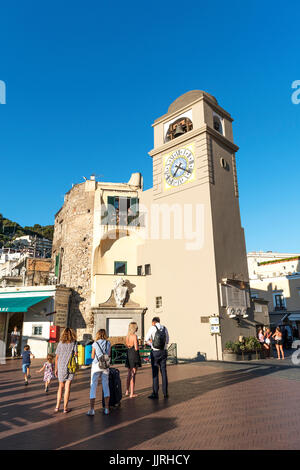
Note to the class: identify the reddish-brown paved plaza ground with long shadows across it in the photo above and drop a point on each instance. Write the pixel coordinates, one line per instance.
(212, 405)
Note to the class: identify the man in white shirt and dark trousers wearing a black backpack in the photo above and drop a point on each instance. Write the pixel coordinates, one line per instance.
(158, 338)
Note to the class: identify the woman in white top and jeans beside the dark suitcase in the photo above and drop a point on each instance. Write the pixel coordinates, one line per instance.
(100, 347)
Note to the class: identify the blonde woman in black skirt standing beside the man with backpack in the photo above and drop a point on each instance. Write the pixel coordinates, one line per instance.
(133, 360)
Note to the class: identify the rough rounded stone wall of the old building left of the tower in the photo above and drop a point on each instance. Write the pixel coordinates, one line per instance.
(72, 252)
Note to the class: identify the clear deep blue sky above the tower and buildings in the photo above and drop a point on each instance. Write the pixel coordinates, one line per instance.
(85, 80)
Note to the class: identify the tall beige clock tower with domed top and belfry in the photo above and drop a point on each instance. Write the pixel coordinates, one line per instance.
(194, 170)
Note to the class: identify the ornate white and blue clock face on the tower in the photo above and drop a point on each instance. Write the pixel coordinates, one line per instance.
(179, 167)
